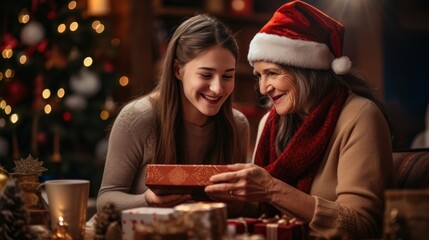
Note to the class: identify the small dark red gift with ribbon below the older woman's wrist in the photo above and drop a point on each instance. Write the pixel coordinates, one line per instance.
(282, 228)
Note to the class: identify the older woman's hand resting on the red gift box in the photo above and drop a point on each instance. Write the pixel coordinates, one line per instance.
(245, 182)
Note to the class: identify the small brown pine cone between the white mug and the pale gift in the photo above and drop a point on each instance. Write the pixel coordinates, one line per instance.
(105, 217)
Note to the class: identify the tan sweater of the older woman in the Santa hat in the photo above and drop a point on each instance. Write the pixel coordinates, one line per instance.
(356, 170)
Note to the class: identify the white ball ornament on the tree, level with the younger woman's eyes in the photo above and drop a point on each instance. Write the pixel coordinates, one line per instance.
(85, 83)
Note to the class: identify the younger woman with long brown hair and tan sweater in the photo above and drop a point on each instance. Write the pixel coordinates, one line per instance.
(187, 119)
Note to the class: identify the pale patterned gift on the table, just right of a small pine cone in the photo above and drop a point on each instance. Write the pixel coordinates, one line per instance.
(131, 218)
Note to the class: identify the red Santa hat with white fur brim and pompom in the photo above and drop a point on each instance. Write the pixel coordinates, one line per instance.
(300, 35)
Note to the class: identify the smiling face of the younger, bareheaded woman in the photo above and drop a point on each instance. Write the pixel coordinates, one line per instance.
(207, 81)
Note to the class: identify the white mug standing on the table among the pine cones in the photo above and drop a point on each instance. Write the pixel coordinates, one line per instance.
(67, 198)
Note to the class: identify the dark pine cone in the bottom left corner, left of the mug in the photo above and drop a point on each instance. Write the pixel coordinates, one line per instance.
(14, 218)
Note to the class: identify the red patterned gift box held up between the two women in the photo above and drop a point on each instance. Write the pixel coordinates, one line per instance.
(181, 179)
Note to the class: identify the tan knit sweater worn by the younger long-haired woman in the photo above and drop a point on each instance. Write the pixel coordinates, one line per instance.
(131, 147)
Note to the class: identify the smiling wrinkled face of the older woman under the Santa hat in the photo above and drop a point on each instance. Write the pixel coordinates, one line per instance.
(278, 84)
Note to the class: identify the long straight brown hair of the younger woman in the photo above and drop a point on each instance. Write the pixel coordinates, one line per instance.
(192, 37)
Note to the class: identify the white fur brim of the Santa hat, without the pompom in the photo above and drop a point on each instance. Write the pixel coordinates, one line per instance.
(294, 52)
